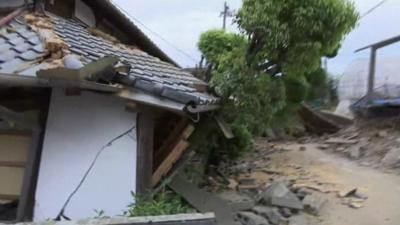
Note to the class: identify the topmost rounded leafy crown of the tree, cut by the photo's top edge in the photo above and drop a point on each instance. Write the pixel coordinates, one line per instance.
(295, 34)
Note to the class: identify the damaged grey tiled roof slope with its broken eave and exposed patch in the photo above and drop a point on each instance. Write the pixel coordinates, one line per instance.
(33, 43)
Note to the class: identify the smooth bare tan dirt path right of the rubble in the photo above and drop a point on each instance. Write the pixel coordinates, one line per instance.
(383, 190)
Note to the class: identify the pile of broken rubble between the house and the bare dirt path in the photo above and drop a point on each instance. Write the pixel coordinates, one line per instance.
(262, 190)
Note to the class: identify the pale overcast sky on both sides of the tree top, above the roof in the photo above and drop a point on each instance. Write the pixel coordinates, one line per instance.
(181, 22)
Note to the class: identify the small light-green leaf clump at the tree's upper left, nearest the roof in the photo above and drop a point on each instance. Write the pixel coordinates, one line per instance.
(216, 43)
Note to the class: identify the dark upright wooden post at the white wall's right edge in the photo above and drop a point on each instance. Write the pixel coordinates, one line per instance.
(145, 145)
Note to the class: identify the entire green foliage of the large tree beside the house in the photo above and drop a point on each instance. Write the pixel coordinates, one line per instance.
(293, 34)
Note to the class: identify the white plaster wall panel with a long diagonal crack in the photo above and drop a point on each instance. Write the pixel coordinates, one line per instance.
(77, 127)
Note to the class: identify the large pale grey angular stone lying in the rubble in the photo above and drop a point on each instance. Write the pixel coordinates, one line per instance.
(277, 194)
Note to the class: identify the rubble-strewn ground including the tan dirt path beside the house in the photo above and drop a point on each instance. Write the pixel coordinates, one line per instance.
(347, 178)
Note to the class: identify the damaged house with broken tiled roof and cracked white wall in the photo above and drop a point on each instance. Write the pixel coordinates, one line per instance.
(84, 93)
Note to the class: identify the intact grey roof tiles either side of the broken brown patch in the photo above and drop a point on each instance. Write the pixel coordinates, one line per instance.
(20, 47)
